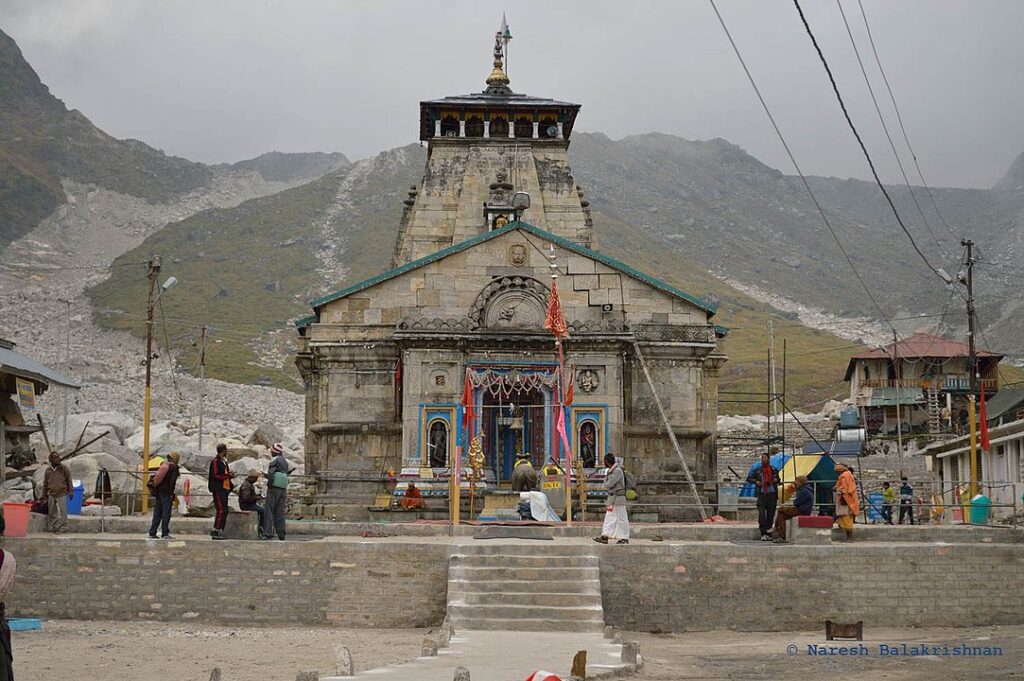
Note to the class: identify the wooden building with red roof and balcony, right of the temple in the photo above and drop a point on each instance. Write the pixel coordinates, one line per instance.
(922, 382)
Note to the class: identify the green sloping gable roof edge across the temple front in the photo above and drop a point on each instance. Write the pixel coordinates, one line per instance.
(526, 227)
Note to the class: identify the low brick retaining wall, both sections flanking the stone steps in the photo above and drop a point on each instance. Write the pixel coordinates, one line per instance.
(649, 587)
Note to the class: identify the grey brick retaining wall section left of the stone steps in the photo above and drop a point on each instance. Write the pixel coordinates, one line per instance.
(346, 584)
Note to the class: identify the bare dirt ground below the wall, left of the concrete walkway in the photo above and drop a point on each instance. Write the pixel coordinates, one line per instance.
(160, 652)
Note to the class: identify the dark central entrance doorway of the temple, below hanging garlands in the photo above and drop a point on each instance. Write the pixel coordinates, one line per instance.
(515, 424)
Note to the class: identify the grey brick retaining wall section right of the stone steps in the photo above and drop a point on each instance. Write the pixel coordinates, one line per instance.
(769, 588)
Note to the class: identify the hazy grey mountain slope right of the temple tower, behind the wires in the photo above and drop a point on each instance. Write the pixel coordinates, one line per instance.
(752, 225)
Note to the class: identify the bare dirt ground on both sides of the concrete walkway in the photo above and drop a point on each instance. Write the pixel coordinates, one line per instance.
(150, 652)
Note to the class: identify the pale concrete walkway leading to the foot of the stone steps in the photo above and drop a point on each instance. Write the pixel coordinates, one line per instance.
(504, 656)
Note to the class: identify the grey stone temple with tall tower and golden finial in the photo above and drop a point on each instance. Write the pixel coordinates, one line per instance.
(390, 364)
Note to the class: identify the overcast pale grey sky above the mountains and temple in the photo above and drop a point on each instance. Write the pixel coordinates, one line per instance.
(230, 79)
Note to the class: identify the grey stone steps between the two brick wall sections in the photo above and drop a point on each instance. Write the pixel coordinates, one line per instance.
(526, 587)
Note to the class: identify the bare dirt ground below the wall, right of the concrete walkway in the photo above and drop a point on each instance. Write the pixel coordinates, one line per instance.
(730, 655)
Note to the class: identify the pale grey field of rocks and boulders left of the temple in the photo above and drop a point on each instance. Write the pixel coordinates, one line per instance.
(45, 275)
